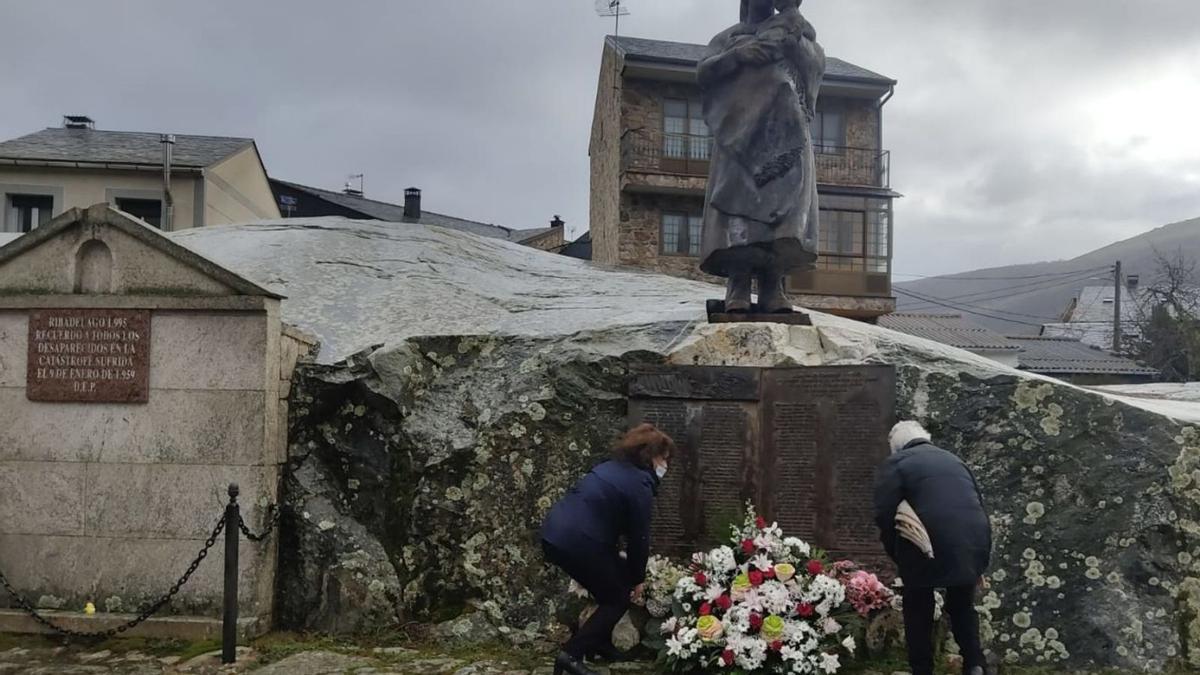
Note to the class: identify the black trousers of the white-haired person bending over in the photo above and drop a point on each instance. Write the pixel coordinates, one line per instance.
(919, 626)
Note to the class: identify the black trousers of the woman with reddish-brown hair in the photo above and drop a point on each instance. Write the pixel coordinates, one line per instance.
(604, 575)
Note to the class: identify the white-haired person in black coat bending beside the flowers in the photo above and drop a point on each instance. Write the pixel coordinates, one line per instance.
(946, 497)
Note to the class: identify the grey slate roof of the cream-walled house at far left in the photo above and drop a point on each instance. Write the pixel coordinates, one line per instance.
(119, 148)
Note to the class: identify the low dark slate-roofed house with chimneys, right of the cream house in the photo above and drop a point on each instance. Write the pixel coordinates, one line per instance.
(304, 201)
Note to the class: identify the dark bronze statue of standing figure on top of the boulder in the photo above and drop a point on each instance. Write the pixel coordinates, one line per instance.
(760, 82)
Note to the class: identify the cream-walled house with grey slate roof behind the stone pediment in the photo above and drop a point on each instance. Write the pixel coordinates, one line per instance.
(214, 181)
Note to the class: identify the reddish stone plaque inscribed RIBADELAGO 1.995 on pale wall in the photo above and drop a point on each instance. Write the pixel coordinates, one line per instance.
(89, 356)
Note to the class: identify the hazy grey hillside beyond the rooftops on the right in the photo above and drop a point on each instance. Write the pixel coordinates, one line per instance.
(1019, 298)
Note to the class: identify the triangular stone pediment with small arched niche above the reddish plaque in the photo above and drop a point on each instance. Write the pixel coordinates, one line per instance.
(104, 252)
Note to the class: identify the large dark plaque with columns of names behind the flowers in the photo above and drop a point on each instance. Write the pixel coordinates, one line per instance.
(803, 444)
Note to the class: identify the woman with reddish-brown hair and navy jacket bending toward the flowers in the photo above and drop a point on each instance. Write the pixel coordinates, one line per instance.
(581, 536)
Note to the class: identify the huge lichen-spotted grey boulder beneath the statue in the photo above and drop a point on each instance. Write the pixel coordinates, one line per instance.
(465, 385)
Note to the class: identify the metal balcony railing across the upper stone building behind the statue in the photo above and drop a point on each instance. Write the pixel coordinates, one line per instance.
(685, 154)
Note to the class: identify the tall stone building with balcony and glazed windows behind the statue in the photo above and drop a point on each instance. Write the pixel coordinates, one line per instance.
(650, 170)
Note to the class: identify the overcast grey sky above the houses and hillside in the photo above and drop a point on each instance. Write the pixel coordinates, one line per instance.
(1021, 130)
